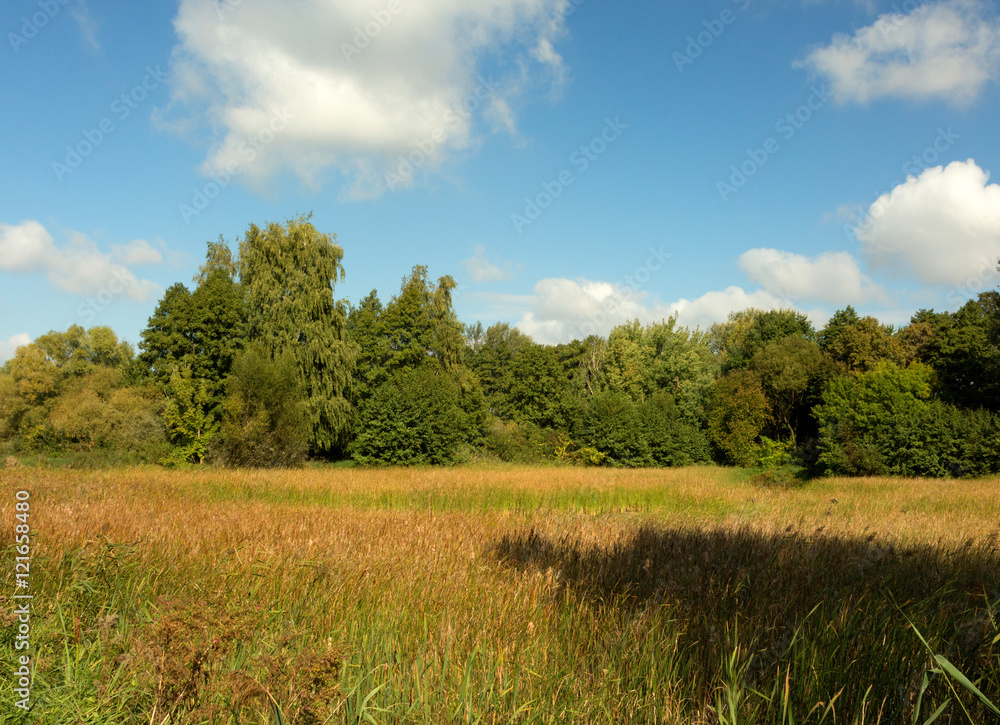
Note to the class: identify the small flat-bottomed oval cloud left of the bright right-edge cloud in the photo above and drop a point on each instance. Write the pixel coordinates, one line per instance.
(831, 277)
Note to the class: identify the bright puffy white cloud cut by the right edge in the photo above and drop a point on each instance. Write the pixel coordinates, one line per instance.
(942, 227)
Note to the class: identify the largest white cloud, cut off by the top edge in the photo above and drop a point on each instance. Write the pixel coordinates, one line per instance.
(365, 82)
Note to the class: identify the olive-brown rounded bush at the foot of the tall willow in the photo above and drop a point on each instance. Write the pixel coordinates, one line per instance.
(263, 425)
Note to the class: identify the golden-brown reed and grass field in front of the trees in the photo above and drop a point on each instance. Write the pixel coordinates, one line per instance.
(503, 595)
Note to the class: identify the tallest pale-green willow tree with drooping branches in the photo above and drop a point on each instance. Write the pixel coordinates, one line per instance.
(288, 273)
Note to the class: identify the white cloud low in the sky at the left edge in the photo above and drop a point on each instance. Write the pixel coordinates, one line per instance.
(77, 266)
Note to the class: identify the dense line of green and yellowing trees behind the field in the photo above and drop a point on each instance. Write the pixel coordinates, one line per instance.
(261, 365)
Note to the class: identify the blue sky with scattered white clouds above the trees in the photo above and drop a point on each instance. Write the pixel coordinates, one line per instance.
(572, 164)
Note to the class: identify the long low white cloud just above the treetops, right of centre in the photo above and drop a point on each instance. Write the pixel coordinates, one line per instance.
(563, 309)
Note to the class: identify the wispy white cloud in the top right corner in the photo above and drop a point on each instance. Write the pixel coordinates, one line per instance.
(946, 49)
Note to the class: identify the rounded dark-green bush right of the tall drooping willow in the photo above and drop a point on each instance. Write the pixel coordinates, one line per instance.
(414, 418)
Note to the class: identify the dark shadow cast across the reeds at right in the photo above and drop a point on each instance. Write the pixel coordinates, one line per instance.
(815, 614)
